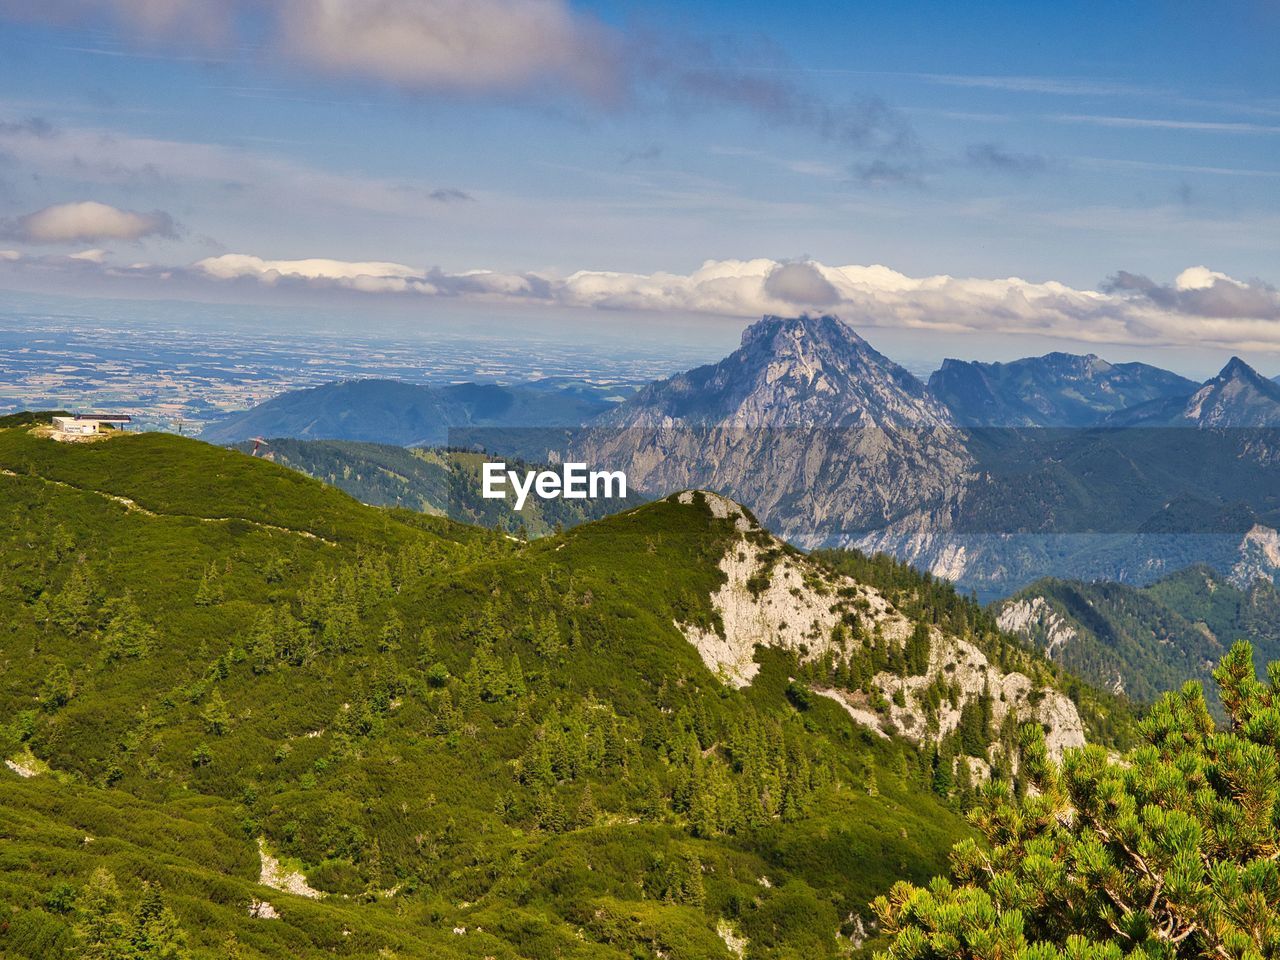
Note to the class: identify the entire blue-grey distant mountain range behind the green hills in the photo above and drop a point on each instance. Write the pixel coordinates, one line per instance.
(993, 476)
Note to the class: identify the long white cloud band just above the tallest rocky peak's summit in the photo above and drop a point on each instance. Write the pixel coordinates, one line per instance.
(1203, 307)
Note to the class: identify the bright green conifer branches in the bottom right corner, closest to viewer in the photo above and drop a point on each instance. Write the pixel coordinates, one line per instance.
(1169, 853)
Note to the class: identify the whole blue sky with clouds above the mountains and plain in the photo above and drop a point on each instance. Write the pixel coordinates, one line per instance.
(986, 179)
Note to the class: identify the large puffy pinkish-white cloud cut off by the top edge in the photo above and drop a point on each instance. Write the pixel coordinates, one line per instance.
(470, 45)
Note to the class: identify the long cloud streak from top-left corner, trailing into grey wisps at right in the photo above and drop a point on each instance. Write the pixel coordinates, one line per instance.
(541, 52)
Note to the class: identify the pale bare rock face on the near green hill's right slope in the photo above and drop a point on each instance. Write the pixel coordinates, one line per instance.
(778, 597)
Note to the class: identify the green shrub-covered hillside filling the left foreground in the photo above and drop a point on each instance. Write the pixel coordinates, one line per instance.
(225, 682)
